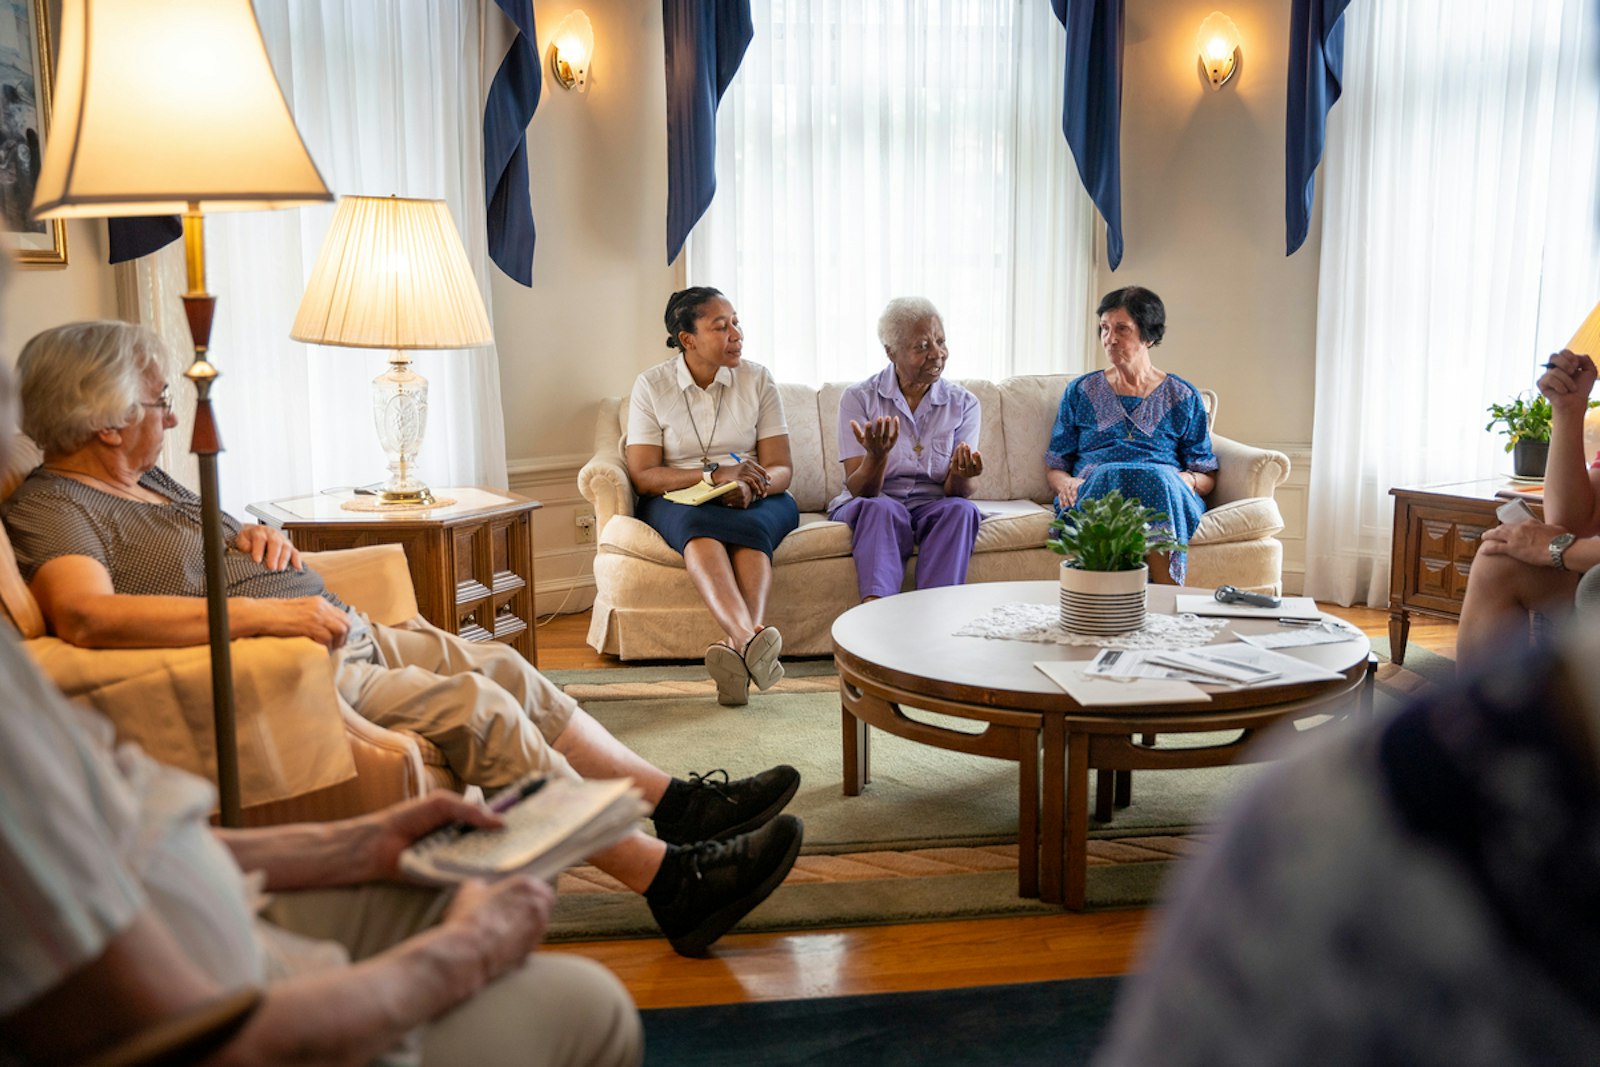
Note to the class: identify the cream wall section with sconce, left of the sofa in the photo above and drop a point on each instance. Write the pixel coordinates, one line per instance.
(601, 276)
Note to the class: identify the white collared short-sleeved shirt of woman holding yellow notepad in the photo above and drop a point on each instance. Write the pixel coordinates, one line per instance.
(676, 415)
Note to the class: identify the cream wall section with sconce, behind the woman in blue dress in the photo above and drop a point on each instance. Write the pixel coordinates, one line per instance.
(1202, 185)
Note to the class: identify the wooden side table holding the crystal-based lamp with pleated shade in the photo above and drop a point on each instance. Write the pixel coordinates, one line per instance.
(471, 562)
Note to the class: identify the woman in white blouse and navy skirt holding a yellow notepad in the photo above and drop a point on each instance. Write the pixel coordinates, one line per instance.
(711, 417)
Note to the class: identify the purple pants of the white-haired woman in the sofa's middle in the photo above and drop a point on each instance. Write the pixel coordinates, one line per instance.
(884, 532)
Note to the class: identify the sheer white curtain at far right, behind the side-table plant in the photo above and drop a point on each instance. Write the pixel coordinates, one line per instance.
(1460, 247)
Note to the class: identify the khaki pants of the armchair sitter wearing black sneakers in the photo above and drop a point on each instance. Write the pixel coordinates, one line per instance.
(490, 713)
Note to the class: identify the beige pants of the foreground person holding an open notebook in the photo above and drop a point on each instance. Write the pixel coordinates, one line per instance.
(553, 1010)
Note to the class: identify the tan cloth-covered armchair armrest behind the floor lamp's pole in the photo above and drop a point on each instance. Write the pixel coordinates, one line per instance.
(292, 738)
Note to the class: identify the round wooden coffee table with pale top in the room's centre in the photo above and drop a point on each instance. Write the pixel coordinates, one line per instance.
(903, 652)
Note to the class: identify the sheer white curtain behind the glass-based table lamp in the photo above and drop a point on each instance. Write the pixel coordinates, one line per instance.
(390, 98)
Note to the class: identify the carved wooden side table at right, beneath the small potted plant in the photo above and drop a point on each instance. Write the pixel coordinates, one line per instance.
(1436, 535)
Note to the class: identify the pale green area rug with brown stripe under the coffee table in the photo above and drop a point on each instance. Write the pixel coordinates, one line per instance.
(932, 837)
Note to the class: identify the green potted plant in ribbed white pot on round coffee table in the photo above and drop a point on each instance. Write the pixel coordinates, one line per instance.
(1103, 578)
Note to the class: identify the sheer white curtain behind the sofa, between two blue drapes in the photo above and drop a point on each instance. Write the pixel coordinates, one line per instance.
(873, 150)
